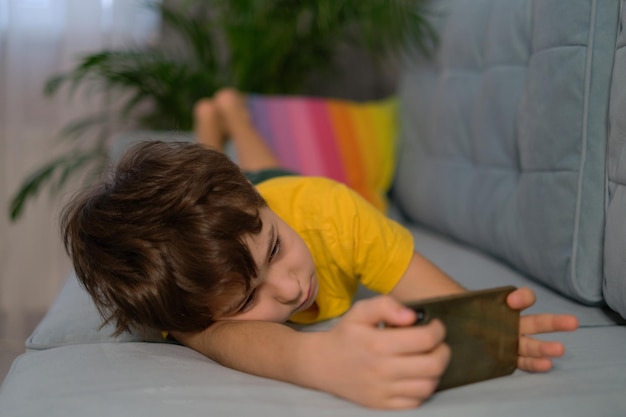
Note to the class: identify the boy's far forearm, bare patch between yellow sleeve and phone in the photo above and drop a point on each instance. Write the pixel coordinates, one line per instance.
(423, 279)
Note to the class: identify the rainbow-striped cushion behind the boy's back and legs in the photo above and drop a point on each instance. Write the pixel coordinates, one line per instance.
(353, 143)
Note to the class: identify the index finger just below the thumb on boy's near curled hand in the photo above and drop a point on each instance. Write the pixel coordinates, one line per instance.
(409, 340)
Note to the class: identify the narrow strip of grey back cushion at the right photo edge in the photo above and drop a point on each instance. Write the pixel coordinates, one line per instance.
(615, 243)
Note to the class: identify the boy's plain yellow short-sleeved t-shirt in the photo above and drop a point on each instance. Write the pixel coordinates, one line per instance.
(349, 239)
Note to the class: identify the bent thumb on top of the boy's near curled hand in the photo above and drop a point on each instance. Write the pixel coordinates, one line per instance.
(381, 309)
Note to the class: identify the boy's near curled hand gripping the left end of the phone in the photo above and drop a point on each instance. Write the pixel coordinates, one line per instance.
(390, 368)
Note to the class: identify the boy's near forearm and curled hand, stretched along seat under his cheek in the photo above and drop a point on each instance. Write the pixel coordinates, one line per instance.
(356, 359)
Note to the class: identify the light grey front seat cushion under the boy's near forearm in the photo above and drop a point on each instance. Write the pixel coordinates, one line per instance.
(148, 379)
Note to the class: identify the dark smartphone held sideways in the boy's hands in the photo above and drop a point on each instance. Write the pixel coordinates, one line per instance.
(481, 330)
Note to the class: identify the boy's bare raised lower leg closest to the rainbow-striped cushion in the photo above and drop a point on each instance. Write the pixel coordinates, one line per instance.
(253, 154)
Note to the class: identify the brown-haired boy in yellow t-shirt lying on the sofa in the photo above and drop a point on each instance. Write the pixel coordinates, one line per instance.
(178, 240)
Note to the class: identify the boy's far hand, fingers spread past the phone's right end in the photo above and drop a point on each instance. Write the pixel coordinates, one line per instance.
(534, 354)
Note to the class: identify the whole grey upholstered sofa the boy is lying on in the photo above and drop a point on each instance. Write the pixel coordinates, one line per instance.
(511, 170)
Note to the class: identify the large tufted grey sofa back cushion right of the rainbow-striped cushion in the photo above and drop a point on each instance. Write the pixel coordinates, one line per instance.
(511, 122)
